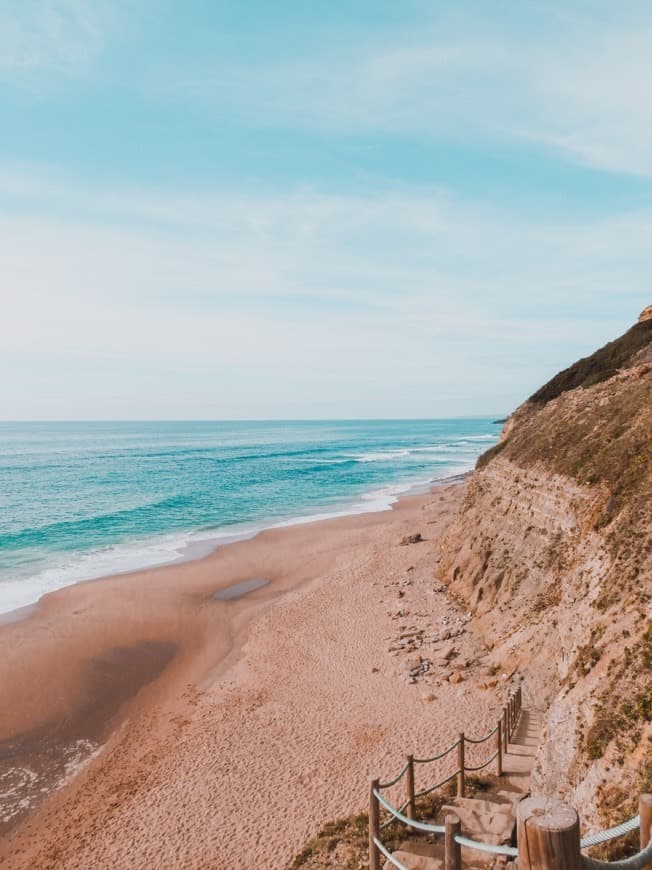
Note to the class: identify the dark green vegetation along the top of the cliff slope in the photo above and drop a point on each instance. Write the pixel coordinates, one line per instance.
(600, 366)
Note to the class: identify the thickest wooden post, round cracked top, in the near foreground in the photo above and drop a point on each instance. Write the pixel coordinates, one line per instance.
(548, 835)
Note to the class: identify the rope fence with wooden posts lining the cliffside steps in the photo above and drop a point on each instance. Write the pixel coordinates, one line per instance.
(560, 841)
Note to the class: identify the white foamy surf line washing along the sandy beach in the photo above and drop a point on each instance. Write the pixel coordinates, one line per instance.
(199, 548)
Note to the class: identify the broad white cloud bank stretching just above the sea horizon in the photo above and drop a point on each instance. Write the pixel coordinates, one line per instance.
(392, 300)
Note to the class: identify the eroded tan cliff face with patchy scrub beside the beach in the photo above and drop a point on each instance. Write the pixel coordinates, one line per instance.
(552, 551)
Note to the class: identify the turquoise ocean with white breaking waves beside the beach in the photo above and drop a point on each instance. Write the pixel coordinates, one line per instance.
(83, 500)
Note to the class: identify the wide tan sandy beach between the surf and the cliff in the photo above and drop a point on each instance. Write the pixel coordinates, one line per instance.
(147, 723)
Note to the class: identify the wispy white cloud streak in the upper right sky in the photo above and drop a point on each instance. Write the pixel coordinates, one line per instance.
(579, 85)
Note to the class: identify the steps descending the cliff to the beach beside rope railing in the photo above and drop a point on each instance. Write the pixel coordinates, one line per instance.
(489, 816)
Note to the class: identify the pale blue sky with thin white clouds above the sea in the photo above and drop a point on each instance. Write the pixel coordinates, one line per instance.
(360, 208)
